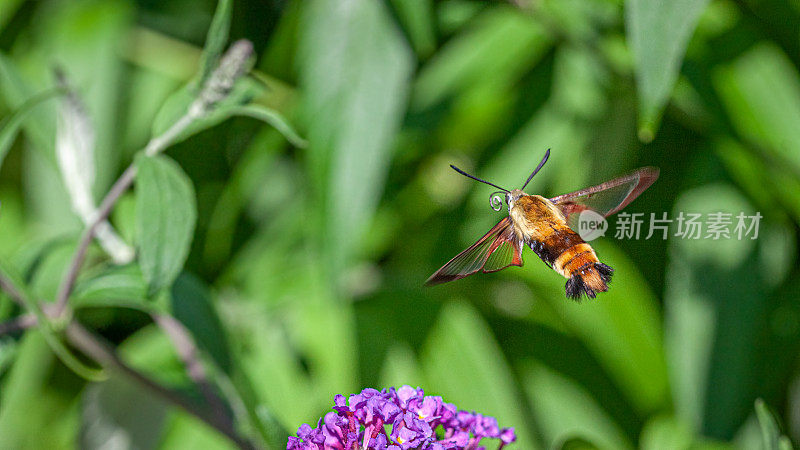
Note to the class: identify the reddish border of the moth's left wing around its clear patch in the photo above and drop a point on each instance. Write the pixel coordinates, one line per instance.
(475, 257)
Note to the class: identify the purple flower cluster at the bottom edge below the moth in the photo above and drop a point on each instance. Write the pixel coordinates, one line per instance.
(414, 419)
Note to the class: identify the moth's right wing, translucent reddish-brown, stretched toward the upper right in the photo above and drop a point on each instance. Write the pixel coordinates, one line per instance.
(606, 198)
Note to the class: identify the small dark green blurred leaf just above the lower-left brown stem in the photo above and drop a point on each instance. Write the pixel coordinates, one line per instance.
(192, 306)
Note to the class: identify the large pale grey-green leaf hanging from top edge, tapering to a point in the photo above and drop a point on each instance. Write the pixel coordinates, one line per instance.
(354, 106)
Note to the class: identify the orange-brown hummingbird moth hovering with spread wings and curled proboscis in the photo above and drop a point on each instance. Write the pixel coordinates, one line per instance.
(546, 225)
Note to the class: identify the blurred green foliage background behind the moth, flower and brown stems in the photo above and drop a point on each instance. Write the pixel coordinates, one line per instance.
(295, 260)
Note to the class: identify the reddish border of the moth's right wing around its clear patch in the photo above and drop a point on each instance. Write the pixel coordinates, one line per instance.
(575, 202)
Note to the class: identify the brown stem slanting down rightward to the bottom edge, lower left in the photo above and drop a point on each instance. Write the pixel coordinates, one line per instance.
(101, 352)
